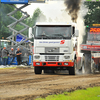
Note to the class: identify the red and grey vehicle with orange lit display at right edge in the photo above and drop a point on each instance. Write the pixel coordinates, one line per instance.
(91, 51)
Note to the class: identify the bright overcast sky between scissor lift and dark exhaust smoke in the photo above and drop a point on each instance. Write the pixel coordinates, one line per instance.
(52, 9)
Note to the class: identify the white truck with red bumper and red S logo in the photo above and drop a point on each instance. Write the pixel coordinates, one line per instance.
(54, 47)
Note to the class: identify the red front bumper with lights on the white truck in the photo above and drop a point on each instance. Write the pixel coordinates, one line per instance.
(54, 64)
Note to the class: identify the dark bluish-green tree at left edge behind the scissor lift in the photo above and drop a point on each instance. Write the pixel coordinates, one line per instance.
(5, 20)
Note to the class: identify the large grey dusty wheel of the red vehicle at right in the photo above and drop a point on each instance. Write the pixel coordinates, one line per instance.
(86, 64)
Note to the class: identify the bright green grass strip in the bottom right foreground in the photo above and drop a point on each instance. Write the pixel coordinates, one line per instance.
(88, 94)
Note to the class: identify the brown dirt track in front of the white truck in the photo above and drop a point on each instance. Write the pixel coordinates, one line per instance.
(23, 84)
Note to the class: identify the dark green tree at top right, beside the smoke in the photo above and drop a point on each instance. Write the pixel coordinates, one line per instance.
(93, 15)
